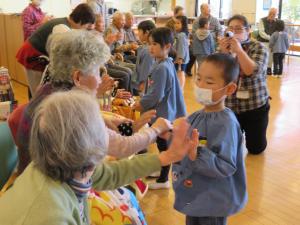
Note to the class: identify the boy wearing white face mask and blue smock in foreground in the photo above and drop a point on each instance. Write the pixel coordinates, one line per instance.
(210, 183)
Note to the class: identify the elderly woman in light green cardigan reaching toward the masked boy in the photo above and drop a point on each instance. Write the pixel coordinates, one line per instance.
(67, 145)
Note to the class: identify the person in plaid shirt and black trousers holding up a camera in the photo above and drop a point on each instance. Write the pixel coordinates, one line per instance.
(251, 101)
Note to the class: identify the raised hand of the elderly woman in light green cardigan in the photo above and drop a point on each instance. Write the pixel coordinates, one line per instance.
(181, 143)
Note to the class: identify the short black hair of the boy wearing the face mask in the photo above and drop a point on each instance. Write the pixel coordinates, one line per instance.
(227, 63)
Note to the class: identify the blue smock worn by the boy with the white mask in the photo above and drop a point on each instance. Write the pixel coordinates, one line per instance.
(214, 185)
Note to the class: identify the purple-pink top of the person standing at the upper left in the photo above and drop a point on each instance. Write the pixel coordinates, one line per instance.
(32, 18)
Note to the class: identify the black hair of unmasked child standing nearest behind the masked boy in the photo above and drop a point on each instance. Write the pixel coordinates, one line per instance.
(162, 36)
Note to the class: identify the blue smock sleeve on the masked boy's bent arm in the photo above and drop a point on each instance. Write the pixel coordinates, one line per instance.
(219, 161)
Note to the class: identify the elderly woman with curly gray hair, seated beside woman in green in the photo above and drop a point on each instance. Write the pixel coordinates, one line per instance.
(75, 59)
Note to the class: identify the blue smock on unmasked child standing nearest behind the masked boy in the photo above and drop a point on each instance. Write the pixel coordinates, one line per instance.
(163, 92)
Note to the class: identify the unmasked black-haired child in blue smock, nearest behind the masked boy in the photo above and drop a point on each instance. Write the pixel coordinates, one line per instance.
(162, 92)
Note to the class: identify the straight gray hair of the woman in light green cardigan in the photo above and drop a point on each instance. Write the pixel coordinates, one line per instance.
(68, 135)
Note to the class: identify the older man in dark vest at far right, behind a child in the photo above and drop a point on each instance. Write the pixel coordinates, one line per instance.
(266, 28)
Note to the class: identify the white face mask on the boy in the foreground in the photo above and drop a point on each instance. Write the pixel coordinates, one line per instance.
(204, 96)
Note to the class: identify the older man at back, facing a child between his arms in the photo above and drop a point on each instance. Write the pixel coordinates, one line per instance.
(214, 24)
